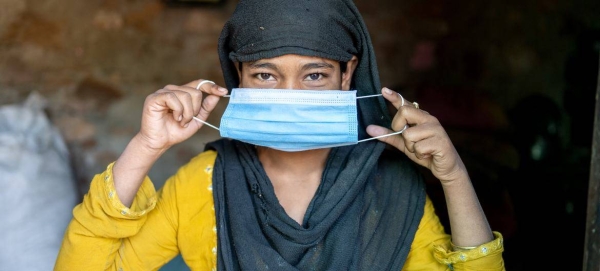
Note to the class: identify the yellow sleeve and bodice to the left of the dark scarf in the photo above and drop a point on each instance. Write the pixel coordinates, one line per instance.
(106, 235)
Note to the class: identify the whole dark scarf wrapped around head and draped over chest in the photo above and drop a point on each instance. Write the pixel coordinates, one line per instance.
(370, 201)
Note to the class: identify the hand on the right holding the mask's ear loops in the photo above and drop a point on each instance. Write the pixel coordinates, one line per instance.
(424, 141)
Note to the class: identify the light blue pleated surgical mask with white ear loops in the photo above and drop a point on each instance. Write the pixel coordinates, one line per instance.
(292, 120)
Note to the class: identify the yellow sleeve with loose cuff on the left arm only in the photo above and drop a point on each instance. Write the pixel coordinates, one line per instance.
(100, 222)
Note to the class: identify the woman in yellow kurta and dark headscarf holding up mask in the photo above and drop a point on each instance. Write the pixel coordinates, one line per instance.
(252, 202)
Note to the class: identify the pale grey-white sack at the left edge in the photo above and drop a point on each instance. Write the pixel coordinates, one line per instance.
(37, 188)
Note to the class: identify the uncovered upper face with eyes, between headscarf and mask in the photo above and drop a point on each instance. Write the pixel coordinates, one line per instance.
(297, 72)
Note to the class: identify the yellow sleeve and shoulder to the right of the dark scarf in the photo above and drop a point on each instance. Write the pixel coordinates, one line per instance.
(431, 249)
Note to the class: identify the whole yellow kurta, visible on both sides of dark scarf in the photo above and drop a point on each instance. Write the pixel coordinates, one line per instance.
(180, 219)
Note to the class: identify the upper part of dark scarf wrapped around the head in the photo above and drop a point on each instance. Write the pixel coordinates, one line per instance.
(330, 29)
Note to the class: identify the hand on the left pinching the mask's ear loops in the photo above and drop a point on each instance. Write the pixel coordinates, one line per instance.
(167, 117)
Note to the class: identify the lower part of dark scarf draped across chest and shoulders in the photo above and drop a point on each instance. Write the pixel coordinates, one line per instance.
(363, 216)
